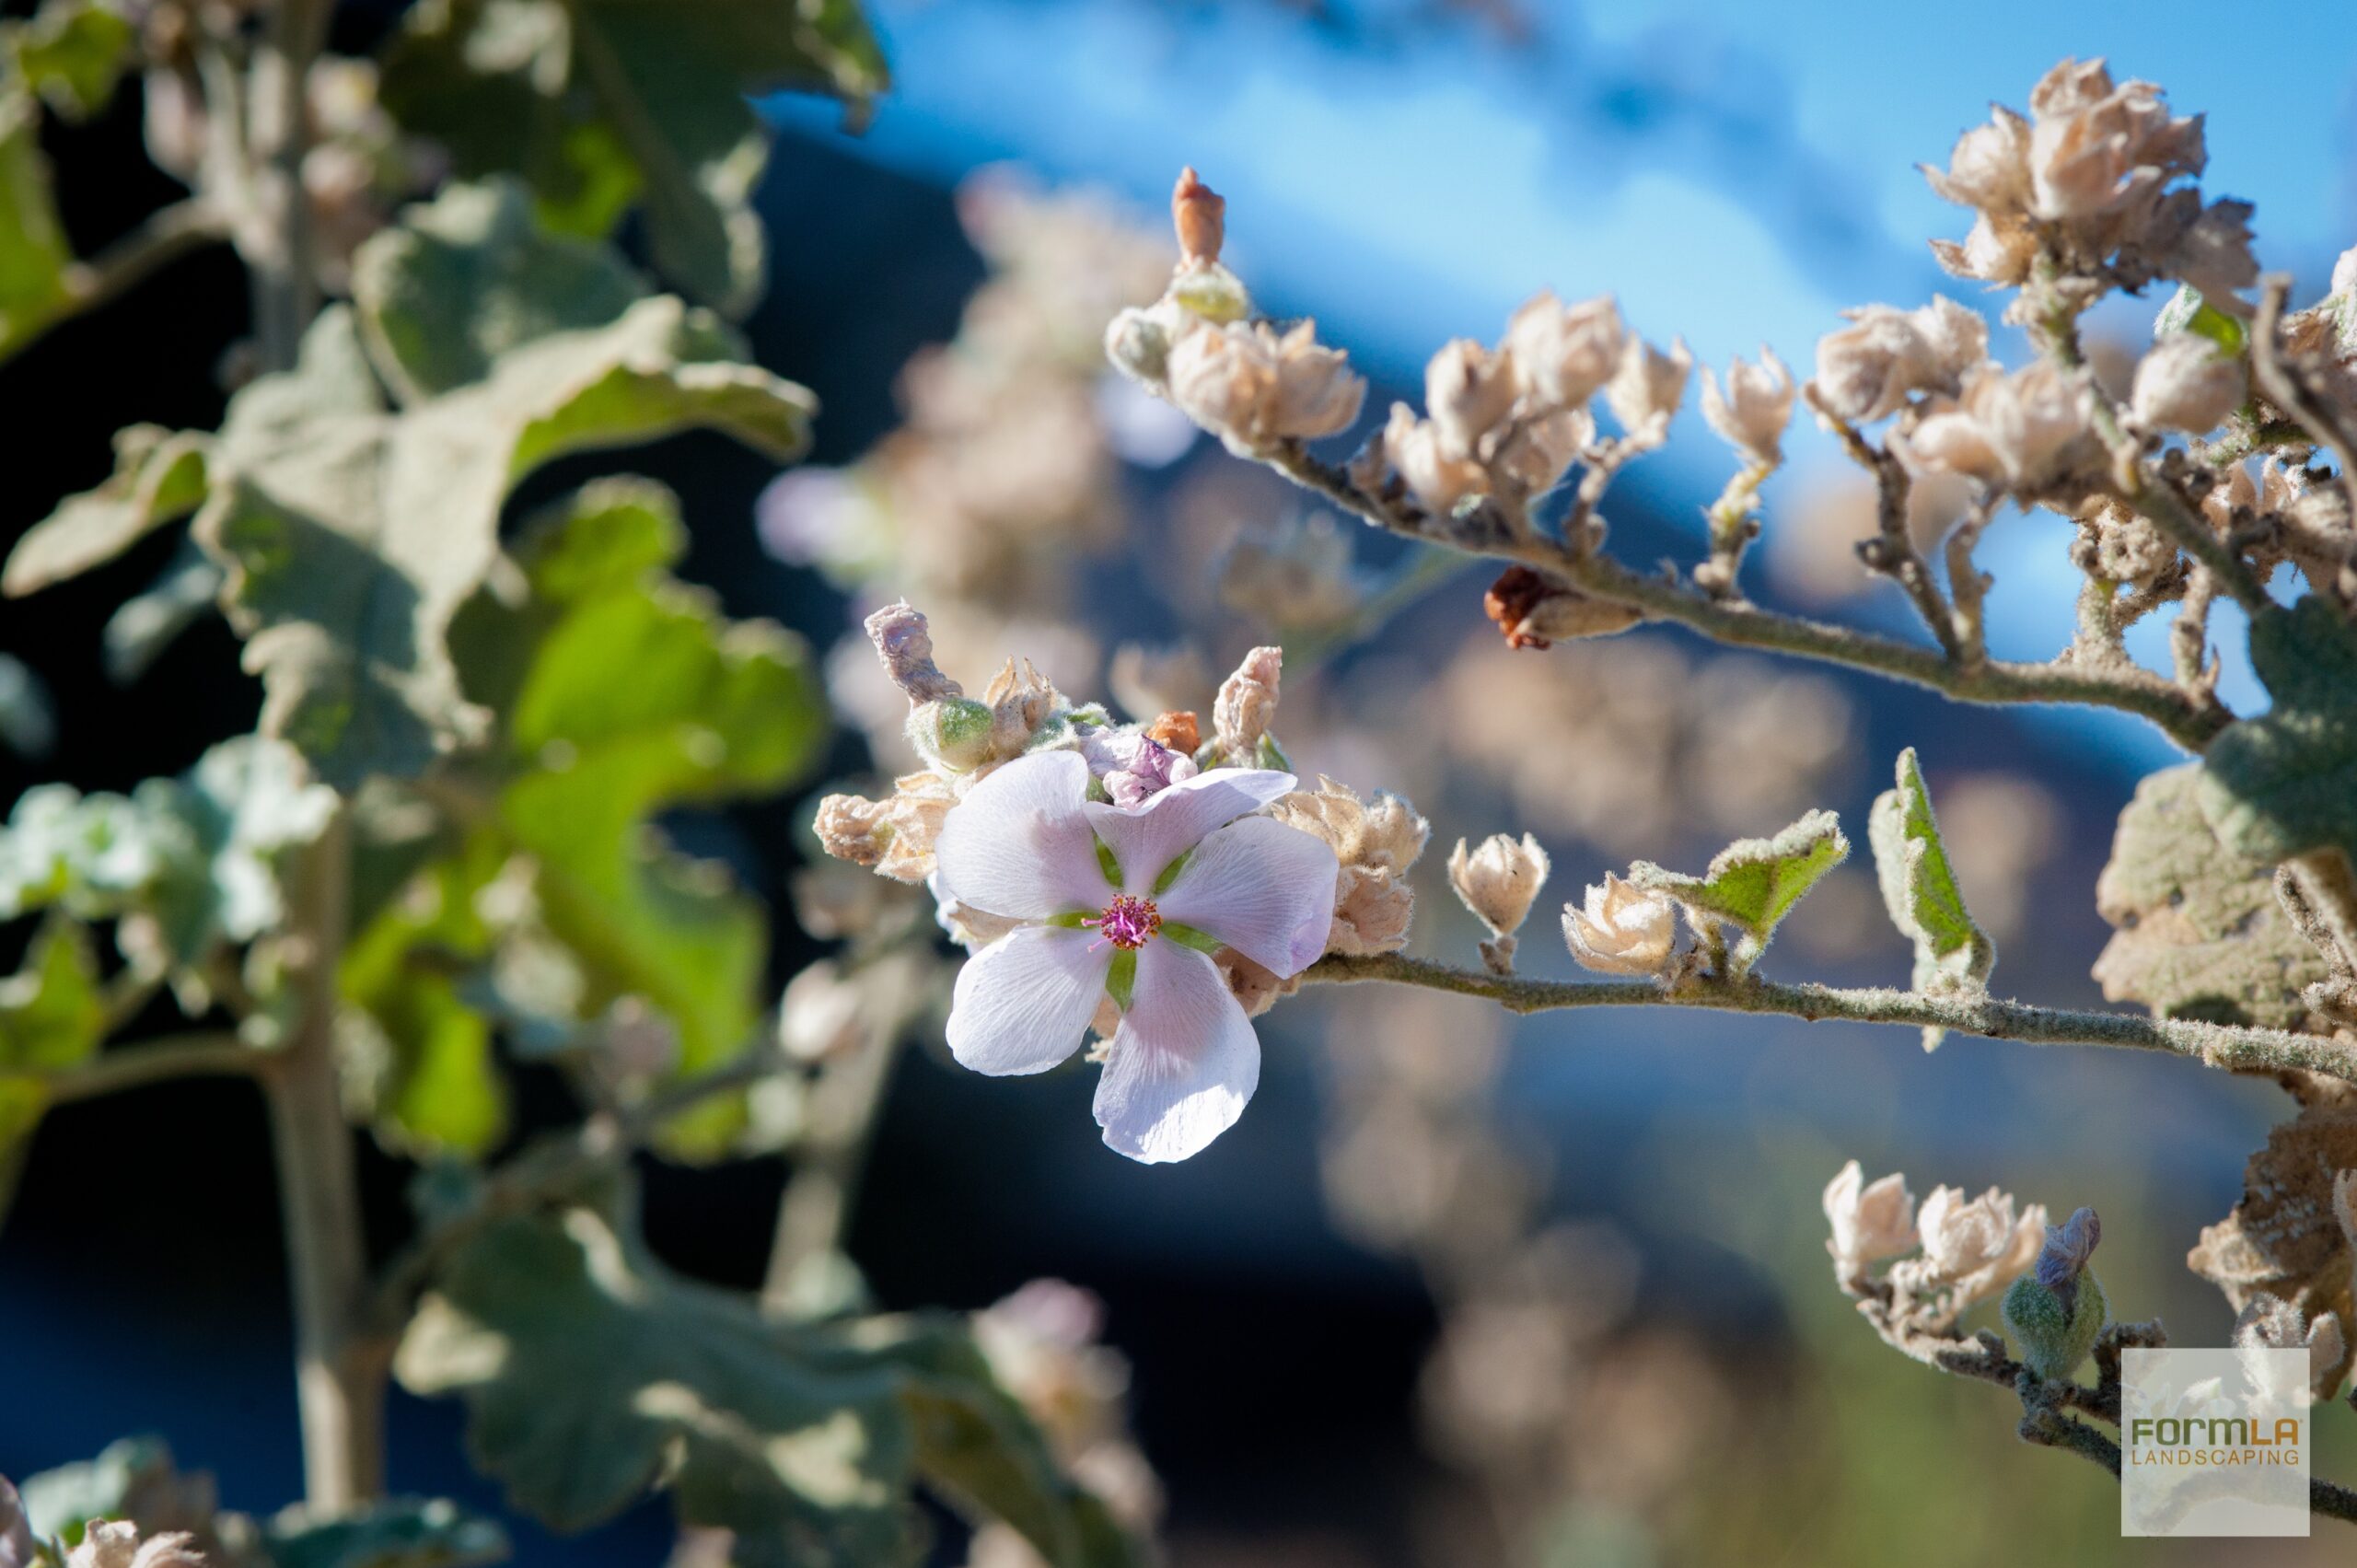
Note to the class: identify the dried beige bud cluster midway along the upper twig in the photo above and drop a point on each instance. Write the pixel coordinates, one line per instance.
(1507, 421)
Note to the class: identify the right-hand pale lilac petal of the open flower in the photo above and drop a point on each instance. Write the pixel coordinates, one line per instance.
(1265, 890)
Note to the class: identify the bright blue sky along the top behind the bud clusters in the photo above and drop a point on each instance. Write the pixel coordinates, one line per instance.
(1734, 171)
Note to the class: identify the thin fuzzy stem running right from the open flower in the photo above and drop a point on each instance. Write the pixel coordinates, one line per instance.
(2214, 1043)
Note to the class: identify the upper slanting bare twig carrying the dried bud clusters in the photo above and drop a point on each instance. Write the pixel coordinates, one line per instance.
(1750, 626)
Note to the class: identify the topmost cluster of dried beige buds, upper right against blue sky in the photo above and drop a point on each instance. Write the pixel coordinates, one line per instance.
(2089, 183)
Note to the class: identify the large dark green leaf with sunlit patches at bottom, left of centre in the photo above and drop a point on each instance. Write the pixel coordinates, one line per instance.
(593, 1376)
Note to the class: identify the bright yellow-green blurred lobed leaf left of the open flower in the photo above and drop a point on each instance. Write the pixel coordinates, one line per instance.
(619, 697)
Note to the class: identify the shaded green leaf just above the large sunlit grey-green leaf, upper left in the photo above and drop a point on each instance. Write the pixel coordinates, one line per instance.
(470, 277)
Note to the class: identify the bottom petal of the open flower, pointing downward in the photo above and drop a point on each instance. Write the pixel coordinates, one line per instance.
(1184, 1060)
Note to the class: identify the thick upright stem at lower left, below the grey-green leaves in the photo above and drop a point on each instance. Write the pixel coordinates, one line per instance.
(338, 1366)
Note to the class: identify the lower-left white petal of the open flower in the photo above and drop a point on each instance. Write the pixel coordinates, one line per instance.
(1024, 1003)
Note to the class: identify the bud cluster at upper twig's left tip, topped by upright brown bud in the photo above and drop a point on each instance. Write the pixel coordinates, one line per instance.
(1199, 348)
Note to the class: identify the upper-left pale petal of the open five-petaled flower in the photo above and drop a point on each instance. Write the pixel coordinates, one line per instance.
(1019, 845)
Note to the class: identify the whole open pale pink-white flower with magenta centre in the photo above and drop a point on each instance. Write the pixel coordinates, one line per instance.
(1130, 902)
